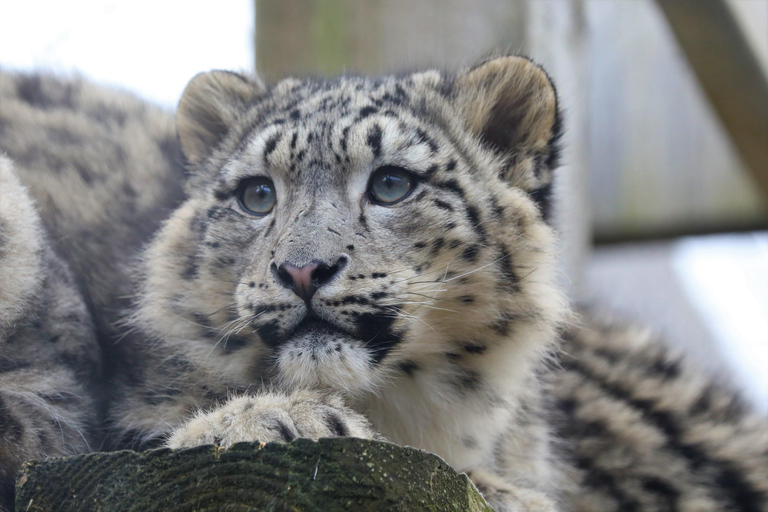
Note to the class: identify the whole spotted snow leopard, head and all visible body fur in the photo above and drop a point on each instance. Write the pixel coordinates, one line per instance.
(366, 257)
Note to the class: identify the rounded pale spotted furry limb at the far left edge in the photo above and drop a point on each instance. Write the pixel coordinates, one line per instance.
(49, 358)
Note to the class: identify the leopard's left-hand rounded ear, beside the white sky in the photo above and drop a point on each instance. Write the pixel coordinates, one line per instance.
(210, 105)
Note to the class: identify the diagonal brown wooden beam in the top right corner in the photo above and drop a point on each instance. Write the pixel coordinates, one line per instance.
(729, 73)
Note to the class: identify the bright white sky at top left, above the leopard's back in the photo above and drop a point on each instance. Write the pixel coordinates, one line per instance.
(152, 48)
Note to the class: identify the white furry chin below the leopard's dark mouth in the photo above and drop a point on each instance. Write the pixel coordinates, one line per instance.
(325, 361)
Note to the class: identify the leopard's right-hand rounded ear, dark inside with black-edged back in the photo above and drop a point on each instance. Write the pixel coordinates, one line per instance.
(511, 105)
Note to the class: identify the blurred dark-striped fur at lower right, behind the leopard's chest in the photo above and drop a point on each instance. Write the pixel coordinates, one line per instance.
(646, 431)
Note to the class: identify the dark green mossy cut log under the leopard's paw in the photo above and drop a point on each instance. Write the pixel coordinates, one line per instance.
(330, 474)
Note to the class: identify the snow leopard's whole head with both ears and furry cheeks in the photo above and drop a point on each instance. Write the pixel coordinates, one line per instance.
(342, 233)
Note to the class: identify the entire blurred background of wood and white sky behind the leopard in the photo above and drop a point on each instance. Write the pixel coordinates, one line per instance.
(664, 188)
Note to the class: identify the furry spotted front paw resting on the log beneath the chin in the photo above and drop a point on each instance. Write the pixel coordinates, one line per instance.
(272, 417)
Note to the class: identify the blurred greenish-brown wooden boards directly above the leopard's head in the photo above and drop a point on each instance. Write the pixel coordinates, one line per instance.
(329, 37)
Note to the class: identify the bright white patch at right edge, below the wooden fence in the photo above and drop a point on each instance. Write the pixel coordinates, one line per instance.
(726, 280)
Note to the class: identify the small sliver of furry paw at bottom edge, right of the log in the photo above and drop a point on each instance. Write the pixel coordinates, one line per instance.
(506, 497)
